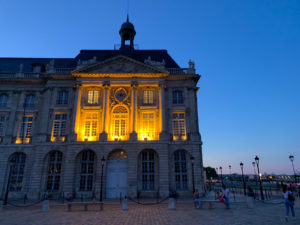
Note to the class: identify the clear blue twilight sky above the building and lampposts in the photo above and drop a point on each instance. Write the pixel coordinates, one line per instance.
(247, 51)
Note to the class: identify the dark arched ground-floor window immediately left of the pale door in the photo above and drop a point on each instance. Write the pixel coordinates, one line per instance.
(87, 171)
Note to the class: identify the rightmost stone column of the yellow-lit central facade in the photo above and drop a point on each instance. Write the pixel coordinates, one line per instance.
(163, 136)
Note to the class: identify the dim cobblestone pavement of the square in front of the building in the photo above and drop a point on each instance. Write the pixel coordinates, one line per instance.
(239, 214)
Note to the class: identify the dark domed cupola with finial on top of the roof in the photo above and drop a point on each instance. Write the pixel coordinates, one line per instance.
(127, 34)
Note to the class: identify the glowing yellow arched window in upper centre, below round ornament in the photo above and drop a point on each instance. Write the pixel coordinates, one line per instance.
(119, 122)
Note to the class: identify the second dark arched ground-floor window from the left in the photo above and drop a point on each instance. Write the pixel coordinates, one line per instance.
(54, 171)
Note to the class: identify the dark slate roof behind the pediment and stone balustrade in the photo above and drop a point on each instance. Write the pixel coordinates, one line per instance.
(13, 64)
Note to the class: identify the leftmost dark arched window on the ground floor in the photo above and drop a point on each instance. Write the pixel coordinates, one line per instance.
(17, 165)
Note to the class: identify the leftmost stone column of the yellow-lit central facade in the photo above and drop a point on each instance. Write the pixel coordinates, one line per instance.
(75, 113)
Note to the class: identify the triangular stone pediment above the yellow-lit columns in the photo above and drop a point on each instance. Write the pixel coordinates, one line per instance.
(119, 66)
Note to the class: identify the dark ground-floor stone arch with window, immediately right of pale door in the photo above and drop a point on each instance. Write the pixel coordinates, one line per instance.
(148, 173)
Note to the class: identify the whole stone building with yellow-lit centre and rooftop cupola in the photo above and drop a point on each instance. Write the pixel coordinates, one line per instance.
(123, 118)
